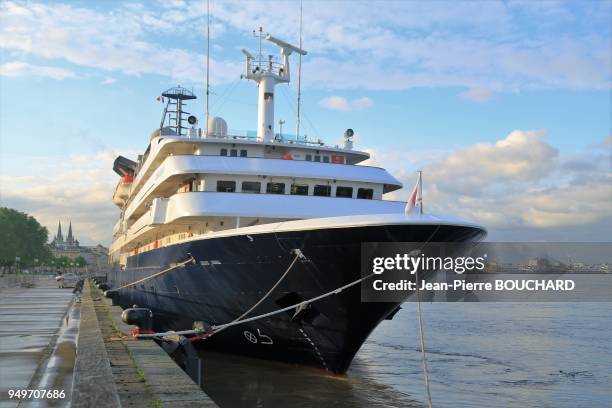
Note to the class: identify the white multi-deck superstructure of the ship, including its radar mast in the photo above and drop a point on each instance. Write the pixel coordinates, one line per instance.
(191, 184)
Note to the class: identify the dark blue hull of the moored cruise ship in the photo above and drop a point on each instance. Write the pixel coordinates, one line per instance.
(233, 273)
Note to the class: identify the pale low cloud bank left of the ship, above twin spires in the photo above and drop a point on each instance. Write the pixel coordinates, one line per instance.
(77, 188)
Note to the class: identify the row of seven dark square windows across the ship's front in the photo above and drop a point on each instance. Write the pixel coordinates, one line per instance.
(321, 190)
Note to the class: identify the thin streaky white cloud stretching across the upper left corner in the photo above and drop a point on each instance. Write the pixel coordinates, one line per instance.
(115, 41)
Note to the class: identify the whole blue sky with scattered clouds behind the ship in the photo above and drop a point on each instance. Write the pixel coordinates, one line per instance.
(504, 105)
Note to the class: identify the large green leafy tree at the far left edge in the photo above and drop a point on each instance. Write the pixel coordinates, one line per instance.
(22, 236)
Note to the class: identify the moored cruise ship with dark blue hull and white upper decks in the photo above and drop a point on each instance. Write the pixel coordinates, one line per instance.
(216, 226)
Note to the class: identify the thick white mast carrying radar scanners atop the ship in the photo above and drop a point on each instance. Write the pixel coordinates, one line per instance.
(267, 74)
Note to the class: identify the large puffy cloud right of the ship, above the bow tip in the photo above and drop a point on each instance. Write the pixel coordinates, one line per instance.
(517, 186)
